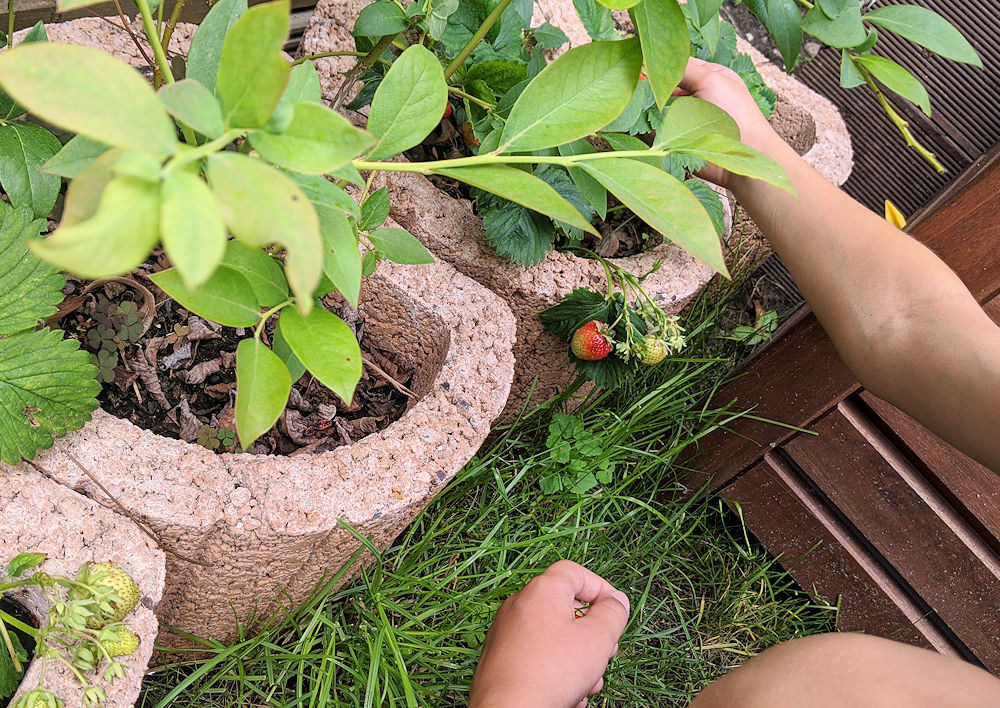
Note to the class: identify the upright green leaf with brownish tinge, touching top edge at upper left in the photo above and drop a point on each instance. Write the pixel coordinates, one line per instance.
(252, 71)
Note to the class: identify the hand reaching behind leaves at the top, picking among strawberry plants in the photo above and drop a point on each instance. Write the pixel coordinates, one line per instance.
(722, 86)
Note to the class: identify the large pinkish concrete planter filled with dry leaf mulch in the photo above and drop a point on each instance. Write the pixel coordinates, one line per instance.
(245, 528)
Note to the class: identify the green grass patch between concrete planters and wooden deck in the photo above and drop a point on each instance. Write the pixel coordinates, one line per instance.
(408, 631)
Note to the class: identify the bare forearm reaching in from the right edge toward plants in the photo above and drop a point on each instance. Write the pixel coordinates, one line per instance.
(899, 317)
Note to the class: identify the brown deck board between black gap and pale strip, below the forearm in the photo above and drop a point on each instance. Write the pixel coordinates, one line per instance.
(914, 530)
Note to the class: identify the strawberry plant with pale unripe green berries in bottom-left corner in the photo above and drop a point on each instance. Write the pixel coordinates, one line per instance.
(82, 629)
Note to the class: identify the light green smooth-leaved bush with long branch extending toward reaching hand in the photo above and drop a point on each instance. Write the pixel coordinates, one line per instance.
(238, 170)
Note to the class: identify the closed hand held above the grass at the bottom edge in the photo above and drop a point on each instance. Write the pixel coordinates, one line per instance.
(539, 654)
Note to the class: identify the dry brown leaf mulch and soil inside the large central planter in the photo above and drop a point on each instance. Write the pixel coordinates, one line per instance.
(178, 379)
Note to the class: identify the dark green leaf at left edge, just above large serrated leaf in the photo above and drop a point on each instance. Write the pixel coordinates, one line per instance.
(24, 148)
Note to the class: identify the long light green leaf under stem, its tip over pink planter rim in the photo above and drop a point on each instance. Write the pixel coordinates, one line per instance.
(664, 203)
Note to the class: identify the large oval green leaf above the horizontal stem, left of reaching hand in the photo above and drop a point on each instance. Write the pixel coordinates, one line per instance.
(576, 95)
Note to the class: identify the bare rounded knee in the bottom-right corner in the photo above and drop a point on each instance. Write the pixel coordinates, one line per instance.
(851, 669)
